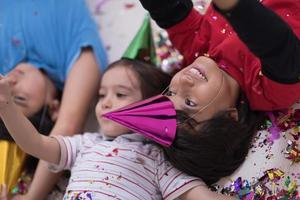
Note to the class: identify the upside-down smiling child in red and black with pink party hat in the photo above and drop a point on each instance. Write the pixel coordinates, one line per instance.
(231, 77)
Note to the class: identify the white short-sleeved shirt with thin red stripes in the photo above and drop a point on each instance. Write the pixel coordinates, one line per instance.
(127, 167)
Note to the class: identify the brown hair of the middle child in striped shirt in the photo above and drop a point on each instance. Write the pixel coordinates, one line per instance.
(153, 81)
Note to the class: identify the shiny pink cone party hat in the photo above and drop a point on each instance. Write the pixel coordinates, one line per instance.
(155, 118)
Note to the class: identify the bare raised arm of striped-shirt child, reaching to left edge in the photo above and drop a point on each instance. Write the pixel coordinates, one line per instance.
(23, 132)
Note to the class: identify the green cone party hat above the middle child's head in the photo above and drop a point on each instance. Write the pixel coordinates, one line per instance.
(142, 45)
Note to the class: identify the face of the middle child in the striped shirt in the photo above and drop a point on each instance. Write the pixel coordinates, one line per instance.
(119, 88)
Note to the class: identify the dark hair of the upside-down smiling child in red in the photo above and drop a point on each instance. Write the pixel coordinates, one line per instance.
(215, 148)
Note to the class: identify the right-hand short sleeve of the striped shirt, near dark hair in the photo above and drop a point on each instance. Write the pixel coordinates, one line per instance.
(172, 182)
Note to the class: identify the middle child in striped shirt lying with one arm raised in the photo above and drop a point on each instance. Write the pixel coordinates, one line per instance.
(115, 163)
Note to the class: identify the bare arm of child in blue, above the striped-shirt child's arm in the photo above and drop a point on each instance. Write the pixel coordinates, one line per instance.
(80, 88)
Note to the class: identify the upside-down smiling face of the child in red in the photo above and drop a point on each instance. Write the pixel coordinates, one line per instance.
(203, 86)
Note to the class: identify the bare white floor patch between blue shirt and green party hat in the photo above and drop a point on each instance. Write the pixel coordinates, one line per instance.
(118, 22)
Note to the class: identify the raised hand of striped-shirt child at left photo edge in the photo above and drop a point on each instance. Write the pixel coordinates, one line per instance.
(5, 92)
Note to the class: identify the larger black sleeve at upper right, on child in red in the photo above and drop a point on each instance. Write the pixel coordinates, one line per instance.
(269, 37)
